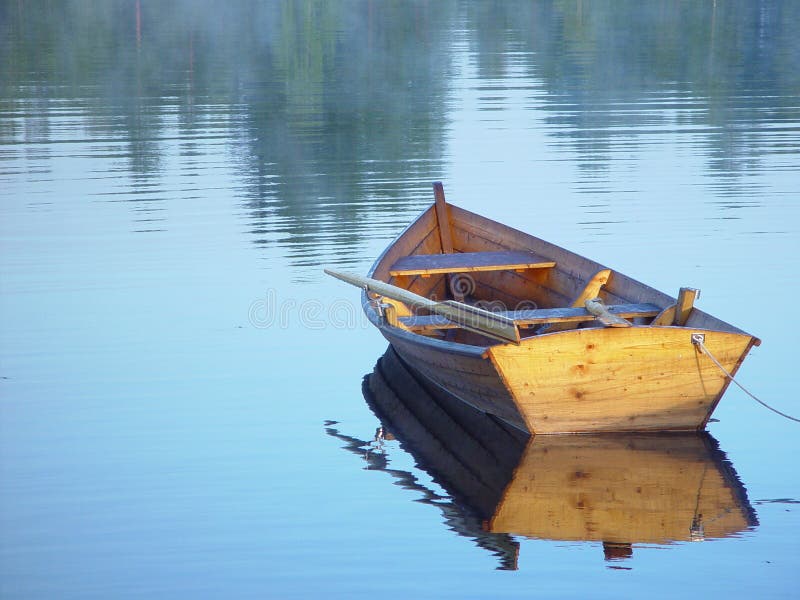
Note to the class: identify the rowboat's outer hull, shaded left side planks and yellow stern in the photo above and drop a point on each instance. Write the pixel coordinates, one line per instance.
(587, 380)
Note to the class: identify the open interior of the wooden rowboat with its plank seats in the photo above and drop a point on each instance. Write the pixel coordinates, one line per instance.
(450, 254)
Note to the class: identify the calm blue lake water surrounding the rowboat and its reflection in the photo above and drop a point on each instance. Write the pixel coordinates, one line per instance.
(181, 405)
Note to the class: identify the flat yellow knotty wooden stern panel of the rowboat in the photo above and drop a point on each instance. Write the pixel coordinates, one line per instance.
(633, 379)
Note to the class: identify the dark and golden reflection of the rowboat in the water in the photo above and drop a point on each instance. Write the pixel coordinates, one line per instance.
(618, 489)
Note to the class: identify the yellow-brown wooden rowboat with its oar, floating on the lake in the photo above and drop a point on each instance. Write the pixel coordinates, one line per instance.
(541, 337)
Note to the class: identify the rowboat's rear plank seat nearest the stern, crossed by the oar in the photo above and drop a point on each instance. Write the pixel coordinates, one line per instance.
(529, 318)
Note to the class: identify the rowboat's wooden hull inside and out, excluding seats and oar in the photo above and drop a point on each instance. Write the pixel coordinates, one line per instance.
(646, 377)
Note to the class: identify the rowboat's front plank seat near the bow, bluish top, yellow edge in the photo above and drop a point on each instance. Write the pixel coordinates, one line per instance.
(466, 262)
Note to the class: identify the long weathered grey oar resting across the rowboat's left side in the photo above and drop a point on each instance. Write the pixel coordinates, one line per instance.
(469, 317)
